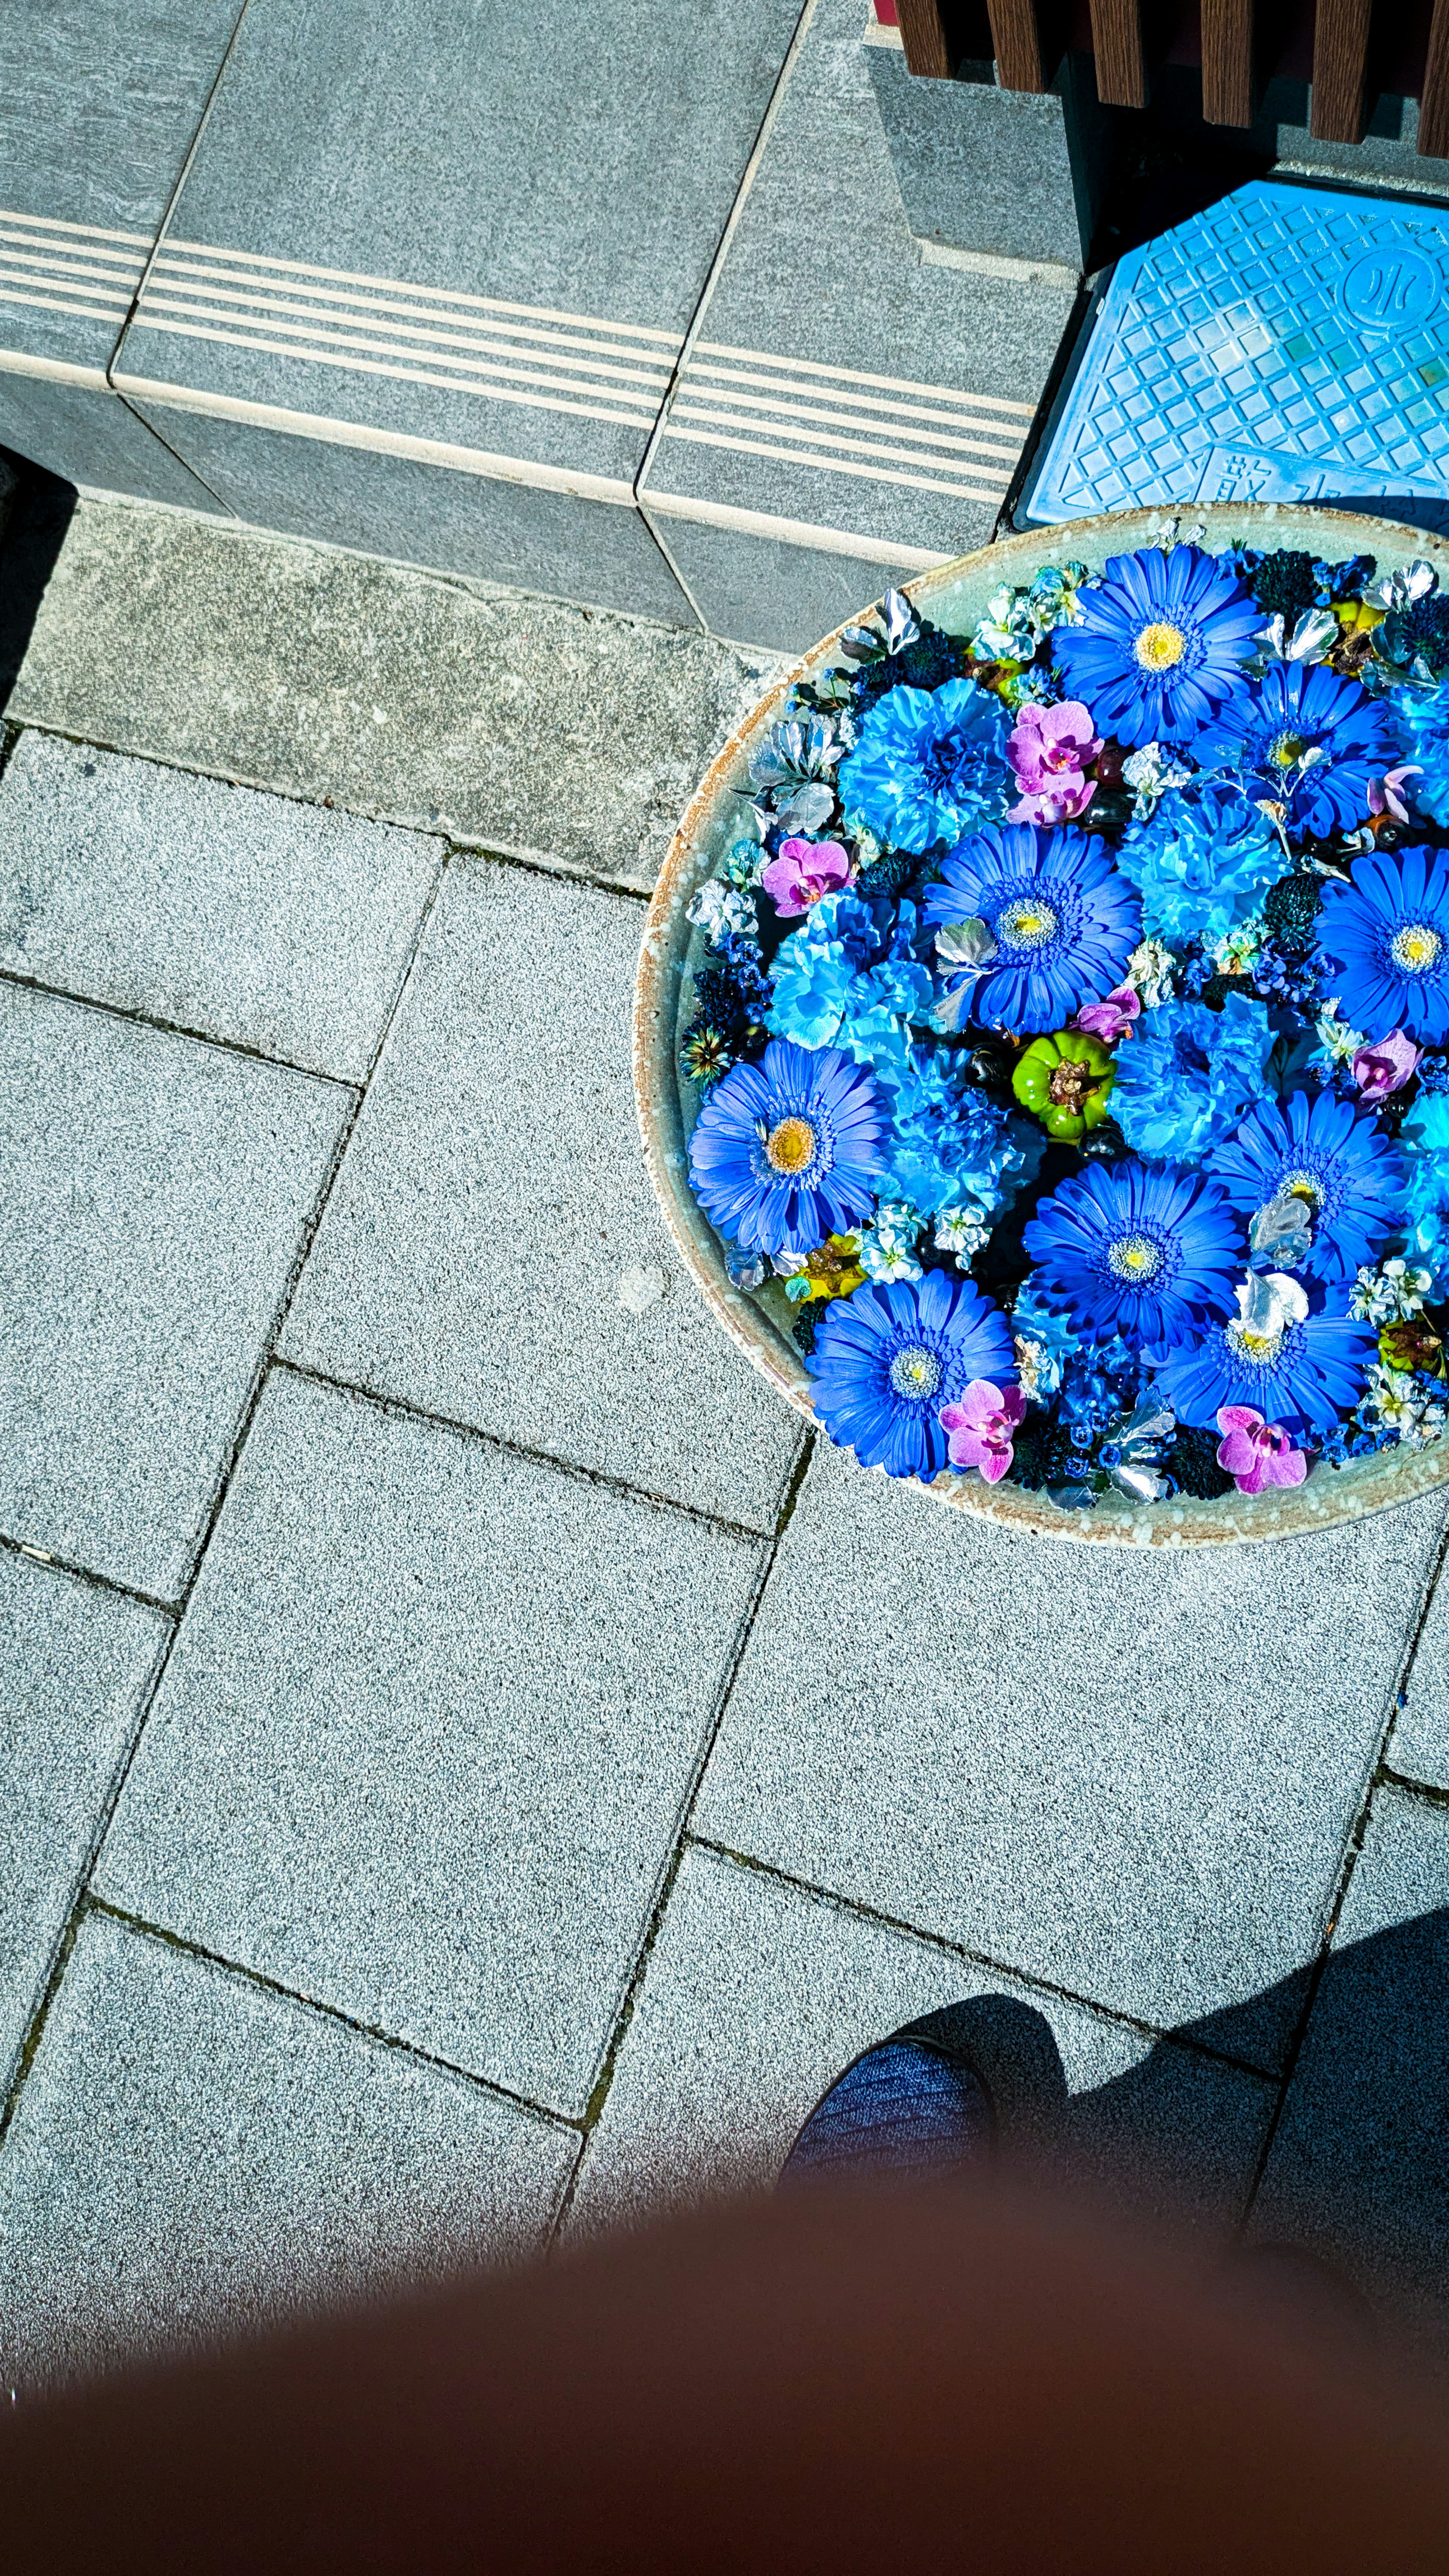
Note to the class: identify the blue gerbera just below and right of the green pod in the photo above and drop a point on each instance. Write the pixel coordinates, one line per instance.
(1133, 1251)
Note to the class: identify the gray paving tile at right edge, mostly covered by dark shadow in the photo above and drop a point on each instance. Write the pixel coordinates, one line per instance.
(1357, 2168)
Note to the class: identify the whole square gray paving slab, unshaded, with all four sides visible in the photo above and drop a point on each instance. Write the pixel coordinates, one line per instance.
(424, 1743)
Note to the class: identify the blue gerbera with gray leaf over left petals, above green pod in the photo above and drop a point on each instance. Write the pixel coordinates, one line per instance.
(1061, 916)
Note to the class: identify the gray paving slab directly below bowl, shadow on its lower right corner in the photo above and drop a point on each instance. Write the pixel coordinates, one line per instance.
(1128, 1776)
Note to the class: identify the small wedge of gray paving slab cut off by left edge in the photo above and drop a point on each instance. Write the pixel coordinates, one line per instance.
(73, 1673)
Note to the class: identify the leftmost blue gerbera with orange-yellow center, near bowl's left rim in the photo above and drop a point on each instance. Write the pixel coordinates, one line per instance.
(785, 1153)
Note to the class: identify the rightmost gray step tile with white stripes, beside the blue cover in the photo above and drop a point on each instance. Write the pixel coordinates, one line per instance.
(839, 380)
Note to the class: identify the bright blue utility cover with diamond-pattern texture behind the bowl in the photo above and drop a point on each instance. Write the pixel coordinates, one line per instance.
(1290, 344)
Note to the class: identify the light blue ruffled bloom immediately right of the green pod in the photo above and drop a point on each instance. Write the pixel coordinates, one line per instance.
(1187, 1075)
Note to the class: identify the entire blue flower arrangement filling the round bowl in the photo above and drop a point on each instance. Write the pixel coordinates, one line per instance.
(1069, 1042)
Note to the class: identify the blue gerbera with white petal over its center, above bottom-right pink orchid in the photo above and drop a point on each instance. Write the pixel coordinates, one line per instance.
(1306, 1377)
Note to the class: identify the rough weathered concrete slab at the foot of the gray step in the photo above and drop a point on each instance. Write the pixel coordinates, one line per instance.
(543, 730)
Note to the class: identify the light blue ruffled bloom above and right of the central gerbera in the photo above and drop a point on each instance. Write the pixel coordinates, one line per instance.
(1203, 862)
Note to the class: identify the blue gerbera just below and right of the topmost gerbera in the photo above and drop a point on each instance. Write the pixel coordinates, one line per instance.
(1308, 741)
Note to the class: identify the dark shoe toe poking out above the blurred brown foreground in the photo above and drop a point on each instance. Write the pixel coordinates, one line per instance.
(911, 2106)
